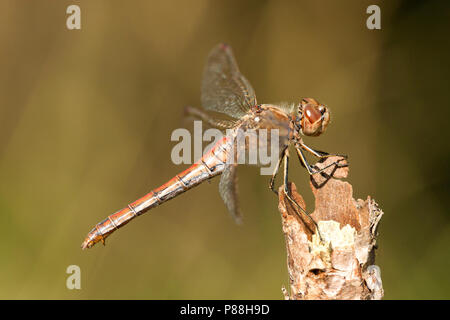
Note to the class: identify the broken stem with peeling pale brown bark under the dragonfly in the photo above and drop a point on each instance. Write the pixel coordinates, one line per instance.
(342, 264)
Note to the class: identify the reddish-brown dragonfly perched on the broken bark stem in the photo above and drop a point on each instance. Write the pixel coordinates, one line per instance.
(226, 91)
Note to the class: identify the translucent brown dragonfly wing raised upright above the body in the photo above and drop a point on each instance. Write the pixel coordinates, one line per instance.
(224, 88)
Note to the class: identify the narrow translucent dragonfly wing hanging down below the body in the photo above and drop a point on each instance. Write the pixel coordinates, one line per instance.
(228, 191)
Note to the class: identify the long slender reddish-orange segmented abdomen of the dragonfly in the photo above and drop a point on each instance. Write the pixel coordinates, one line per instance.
(210, 165)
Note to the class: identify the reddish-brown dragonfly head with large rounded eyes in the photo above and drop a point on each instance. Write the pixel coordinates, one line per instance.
(313, 117)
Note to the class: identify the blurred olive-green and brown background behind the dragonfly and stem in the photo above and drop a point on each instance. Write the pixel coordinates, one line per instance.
(86, 118)
